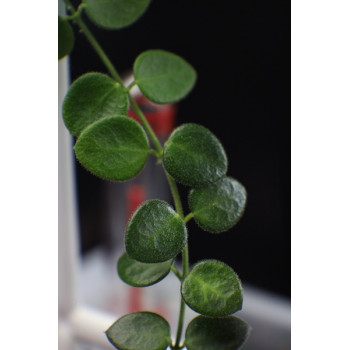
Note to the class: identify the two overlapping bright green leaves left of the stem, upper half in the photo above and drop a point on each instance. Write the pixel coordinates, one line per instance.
(109, 144)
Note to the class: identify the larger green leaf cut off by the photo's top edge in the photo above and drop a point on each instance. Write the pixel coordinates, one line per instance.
(115, 14)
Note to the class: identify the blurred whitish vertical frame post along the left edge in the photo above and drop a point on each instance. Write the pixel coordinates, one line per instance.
(67, 212)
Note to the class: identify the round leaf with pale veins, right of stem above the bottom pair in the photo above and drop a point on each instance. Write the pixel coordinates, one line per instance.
(213, 289)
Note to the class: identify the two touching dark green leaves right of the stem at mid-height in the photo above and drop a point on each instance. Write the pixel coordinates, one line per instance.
(195, 157)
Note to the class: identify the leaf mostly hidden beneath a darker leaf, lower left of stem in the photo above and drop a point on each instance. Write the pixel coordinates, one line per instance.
(140, 274)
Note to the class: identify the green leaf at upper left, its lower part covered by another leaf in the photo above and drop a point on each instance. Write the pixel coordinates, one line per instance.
(91, 97)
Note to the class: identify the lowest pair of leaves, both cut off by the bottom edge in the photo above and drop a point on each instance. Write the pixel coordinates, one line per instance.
(149, 331)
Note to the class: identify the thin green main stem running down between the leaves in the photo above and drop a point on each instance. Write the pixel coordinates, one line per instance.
(173, 187)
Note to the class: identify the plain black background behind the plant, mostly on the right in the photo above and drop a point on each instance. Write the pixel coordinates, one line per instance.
(241, 52)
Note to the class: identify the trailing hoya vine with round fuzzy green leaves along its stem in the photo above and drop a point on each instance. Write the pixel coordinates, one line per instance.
(115, 147)
